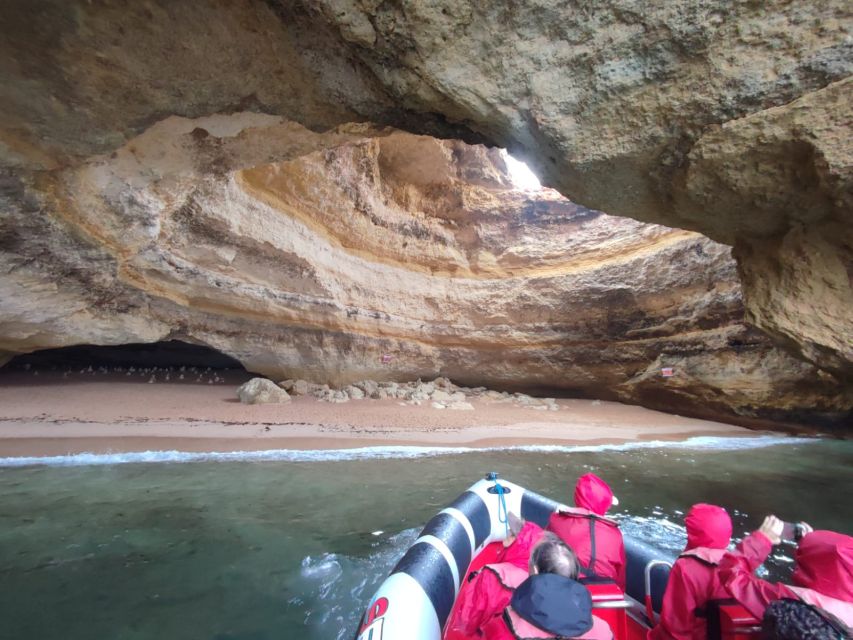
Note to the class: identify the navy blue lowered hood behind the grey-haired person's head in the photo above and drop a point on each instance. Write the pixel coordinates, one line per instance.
(555, 604)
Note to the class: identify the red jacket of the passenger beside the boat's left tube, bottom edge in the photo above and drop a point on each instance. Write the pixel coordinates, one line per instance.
(487, 595)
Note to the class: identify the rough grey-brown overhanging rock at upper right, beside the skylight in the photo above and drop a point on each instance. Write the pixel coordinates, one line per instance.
(727, 118)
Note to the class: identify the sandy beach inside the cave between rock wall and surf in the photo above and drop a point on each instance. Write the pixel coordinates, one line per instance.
(56, 414)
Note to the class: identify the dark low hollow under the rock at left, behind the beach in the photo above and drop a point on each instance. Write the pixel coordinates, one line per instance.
(167, 360)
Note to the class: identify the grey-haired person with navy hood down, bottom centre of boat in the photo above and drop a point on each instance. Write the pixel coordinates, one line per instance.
(549, 603)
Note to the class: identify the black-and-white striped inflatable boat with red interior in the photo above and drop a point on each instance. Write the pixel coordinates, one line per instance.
(416, 599)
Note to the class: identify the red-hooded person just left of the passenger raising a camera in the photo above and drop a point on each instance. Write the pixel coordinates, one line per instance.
(694, 578)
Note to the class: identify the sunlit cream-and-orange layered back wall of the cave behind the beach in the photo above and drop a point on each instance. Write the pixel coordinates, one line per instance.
(363, 253)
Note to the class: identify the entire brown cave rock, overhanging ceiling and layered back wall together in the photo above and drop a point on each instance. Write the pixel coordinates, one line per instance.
(142, 151)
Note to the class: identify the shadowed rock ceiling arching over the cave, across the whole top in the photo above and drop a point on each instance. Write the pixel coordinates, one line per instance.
(726, 118)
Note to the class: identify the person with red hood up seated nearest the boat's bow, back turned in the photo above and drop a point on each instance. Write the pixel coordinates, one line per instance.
(595, 539)
